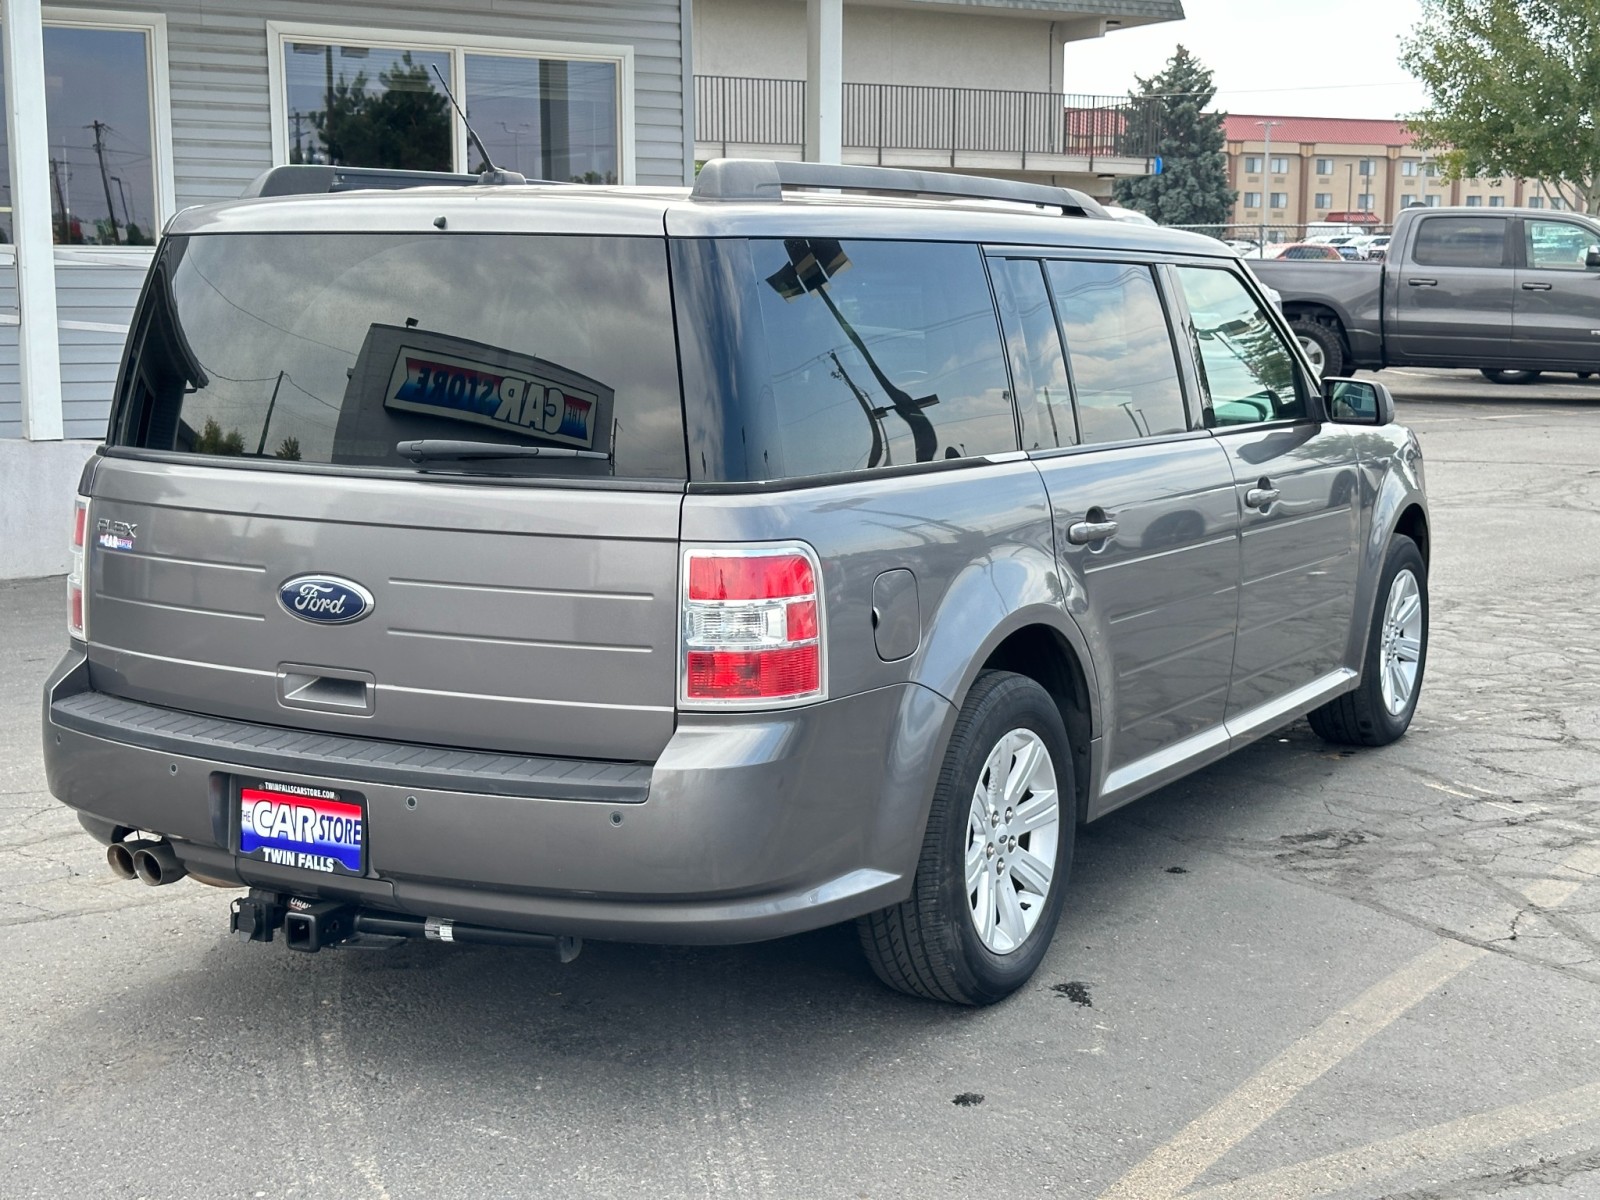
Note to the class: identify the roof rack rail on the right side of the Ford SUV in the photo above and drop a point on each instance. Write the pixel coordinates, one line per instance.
(766, 180)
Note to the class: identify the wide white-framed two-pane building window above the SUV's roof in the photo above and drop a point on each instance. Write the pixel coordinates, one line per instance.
(369, 98)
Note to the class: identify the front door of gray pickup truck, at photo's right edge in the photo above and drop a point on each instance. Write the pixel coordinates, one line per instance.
(1558, 300)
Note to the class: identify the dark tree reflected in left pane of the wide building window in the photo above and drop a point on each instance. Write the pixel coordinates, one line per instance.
(406, 126)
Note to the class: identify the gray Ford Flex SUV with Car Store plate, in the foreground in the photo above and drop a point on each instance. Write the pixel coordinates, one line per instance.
(514, 564)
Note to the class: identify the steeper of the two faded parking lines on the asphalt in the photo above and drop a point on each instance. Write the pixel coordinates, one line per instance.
(1169, 1170)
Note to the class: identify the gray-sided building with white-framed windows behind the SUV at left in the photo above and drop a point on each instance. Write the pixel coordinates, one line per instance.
(119, 116)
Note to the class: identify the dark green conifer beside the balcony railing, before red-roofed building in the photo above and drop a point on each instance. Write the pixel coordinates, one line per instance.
(1193, 186)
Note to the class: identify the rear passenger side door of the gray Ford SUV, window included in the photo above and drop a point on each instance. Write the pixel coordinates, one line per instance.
(1143, 506)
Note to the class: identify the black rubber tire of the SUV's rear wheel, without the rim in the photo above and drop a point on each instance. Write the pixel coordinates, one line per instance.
(929, 946)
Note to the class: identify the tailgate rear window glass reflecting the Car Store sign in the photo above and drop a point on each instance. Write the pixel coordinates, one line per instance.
(337, 348)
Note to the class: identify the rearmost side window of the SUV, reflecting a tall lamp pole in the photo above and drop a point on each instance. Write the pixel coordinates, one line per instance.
(879, 354)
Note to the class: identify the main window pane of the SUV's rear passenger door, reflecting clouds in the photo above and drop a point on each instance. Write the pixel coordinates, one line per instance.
(1121, 350)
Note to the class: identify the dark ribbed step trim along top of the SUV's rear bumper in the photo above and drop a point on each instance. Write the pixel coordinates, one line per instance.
(358, 759)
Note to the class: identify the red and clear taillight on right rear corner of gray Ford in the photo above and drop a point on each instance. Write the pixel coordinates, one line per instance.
(753, 626)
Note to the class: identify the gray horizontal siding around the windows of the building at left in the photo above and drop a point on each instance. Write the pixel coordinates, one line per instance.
(223, 140)
